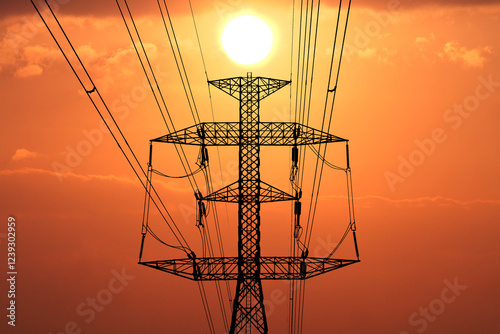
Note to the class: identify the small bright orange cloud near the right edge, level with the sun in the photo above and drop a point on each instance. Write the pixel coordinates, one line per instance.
(456, 53)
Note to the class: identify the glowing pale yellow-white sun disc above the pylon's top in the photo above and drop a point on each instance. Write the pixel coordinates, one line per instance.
(247, 39)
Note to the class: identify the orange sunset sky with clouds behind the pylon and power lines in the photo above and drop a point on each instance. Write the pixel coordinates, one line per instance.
(418, 98)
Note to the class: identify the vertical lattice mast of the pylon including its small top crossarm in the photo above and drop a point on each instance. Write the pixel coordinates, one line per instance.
(248, 307)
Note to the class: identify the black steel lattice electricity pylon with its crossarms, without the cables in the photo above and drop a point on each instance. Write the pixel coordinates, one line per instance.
(249, 191)
